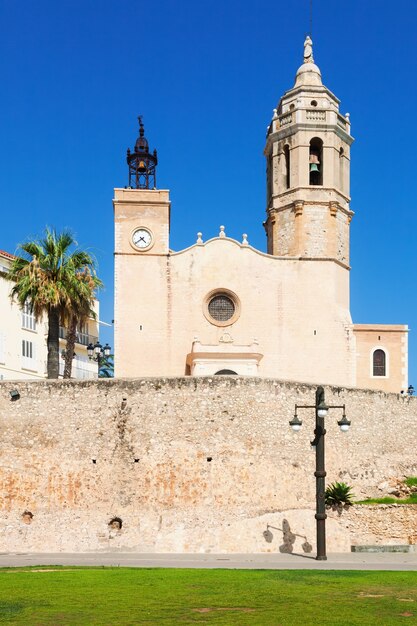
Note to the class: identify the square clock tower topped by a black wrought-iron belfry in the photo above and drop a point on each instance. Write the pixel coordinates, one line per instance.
(141, 215)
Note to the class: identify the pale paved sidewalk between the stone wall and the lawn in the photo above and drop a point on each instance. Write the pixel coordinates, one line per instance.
(352, 561)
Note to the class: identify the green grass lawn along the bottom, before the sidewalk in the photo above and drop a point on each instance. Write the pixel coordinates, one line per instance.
(67, 595)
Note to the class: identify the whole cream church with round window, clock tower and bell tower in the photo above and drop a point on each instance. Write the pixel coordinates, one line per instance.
(223, 307)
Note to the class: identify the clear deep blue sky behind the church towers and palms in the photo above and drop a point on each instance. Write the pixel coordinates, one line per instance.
(206, 76)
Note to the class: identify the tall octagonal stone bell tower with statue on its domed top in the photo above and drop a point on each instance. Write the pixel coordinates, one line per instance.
(308, 160)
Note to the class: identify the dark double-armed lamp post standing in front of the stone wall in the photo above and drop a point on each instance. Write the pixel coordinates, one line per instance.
(321, 411)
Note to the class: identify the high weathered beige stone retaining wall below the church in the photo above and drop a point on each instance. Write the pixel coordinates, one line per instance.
(191, 464)
